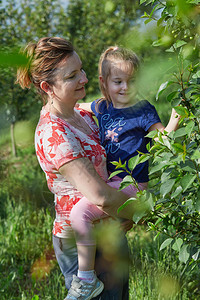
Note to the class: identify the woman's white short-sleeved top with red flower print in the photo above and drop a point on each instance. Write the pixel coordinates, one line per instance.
(56, 143)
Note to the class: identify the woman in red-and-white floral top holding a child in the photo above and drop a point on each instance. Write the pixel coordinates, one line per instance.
(69, 152)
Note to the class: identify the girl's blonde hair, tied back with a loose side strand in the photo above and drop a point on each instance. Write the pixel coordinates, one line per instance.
(105, 64)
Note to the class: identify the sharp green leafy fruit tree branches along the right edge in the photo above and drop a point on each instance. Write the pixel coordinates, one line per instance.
(173, 201)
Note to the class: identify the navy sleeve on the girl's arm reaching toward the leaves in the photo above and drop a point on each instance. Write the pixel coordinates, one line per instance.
(150, 115)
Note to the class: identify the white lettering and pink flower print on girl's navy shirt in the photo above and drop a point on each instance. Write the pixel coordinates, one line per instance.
(110, 134)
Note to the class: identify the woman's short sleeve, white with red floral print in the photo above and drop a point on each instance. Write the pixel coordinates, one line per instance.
(61, 145)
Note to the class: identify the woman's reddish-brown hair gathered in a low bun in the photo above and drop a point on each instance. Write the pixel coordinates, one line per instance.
(43, 59)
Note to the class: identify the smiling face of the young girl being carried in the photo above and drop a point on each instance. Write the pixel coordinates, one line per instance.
(121, 74)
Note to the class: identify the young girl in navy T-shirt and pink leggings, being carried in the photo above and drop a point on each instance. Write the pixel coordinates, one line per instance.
(123, 127)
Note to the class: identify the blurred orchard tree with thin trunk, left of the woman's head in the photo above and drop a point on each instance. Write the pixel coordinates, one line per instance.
(21, 22)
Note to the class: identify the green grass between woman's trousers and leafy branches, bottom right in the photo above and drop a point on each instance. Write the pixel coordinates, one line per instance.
(157, 274)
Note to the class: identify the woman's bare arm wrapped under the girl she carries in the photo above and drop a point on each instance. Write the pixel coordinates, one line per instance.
(82, 175)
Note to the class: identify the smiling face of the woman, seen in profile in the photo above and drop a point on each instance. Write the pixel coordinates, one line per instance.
(70, 80)
